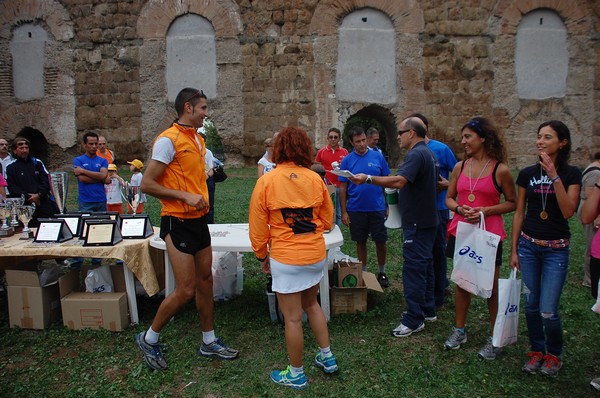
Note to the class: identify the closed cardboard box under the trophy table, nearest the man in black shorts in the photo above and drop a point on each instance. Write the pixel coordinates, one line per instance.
(95, 310)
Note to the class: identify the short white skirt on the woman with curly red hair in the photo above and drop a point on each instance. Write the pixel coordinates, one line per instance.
(295, 278)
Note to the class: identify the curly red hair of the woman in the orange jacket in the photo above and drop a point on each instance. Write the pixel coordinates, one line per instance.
(293, 145)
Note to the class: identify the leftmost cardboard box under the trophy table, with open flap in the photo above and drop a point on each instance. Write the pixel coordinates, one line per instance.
(31, 305)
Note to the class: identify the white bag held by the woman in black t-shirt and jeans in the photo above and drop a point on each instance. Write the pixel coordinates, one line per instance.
(506, 327)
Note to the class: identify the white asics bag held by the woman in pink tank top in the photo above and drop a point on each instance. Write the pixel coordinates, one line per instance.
(475, 258)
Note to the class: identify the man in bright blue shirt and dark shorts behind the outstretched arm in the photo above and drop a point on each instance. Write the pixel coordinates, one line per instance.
(363, 206)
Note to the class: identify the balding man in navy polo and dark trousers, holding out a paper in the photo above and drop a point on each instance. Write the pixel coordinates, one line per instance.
(416, 180)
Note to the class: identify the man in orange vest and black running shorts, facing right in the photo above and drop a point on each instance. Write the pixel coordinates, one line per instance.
(176, 175)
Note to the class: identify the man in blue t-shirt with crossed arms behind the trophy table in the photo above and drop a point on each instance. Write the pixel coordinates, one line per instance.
(91, 171)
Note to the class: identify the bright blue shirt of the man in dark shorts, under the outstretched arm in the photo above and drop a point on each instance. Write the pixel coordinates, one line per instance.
(365, 197)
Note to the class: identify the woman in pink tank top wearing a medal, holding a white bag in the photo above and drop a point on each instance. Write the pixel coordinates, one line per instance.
(475, 187)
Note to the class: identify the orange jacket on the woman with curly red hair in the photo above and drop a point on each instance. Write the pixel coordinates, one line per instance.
(289, 210)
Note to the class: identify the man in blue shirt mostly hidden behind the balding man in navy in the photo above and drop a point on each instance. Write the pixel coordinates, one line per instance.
(446, 161)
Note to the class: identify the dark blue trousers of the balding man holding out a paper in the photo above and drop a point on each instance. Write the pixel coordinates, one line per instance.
(417, 274)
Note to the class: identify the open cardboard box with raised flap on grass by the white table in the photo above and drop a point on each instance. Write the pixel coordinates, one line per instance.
(348, 300)
